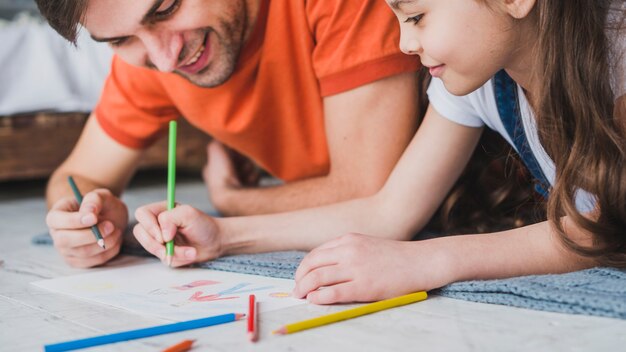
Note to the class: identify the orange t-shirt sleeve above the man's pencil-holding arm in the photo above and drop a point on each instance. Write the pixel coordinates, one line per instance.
(134, 109)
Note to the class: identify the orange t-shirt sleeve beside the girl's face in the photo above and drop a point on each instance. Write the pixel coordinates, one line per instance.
(357, 42)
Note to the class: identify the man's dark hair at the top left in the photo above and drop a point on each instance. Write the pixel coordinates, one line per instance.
(64, 16)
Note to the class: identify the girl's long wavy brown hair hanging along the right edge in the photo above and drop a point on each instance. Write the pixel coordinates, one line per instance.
(580, 125)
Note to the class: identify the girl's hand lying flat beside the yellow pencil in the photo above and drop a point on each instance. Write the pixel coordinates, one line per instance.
(359, 268)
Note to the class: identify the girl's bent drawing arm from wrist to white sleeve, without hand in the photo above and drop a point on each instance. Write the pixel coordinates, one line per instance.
(418, 184)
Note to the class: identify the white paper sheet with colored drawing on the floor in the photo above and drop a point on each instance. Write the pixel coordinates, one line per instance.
(175, 294)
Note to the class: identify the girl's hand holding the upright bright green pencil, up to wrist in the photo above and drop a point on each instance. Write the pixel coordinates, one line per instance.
(196, 235)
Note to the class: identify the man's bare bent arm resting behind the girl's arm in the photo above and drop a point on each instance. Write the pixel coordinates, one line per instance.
(367, 130)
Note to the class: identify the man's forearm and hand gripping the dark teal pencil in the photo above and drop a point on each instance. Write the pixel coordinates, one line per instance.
(101, 168)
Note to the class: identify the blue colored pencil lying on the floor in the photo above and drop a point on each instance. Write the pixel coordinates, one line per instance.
(141, 333)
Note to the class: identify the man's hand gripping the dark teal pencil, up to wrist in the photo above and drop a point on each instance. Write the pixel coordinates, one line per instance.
(70, 227)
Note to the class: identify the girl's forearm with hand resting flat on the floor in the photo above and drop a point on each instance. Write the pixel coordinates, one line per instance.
(364, 268)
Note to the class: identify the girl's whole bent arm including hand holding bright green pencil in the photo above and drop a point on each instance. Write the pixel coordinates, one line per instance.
(419, 182)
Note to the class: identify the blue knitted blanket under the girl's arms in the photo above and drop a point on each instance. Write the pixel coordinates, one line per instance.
(597, 291)
